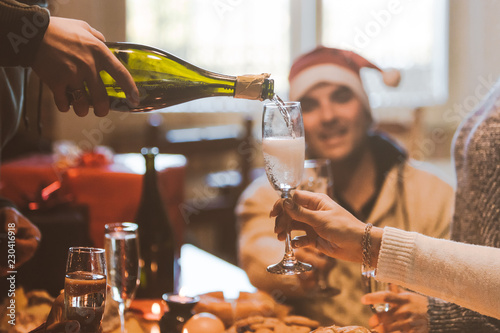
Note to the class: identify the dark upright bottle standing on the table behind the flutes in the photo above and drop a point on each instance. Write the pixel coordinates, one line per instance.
(159, 257)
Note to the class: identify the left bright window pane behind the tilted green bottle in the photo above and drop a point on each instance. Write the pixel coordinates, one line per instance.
(232, 37)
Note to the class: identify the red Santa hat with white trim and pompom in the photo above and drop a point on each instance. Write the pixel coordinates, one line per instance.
(334, 66)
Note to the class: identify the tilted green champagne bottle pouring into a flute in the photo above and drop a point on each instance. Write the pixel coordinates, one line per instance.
(164, 80)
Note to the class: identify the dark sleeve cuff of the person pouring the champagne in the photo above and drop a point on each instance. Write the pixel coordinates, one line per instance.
(22, 28)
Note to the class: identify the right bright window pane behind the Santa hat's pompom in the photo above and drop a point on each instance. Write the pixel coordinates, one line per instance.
(408, 35)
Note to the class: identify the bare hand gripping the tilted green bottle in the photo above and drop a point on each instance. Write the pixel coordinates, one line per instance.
(70, 56)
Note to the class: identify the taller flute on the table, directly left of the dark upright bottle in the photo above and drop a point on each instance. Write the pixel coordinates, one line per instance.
(122, 253)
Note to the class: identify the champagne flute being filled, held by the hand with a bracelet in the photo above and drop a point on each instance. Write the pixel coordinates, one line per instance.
(283, 146)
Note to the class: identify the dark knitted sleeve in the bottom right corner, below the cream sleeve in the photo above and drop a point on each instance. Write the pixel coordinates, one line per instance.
(447, 317)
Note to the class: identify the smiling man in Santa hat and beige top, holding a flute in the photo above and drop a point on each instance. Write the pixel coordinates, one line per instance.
(373, 178)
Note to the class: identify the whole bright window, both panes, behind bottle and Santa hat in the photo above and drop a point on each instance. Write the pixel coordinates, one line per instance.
(243, 37)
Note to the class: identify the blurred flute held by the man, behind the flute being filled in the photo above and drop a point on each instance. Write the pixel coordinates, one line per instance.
(318, 178)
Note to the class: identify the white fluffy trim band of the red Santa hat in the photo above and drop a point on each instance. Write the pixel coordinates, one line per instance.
(313, 75)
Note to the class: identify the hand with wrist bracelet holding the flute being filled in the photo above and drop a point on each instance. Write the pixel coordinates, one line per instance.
(328, 226)
